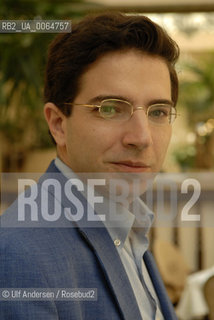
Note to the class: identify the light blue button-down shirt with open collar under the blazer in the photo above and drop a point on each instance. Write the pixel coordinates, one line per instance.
(129, 235)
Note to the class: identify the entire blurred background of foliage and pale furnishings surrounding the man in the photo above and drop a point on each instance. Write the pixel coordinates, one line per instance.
(25, 145)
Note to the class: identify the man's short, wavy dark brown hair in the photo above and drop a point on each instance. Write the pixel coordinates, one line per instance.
(70, 54)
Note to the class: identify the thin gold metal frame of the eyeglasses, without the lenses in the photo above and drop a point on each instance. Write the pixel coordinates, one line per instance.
(133, 109)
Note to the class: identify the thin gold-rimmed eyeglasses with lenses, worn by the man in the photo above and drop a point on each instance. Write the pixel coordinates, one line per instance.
(121, 110)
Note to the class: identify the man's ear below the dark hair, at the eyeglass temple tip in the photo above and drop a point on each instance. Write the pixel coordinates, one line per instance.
(56, 120)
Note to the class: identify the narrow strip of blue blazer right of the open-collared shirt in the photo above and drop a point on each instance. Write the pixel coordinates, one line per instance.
(165, 303)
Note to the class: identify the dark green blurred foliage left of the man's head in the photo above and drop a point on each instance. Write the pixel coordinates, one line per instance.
(22, 64)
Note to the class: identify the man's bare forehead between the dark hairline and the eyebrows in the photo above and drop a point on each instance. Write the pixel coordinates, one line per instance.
(126, 73)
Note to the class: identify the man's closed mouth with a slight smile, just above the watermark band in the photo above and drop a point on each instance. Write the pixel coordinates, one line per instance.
(131, 166)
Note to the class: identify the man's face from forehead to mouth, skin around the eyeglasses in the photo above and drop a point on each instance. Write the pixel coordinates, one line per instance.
(93, 144)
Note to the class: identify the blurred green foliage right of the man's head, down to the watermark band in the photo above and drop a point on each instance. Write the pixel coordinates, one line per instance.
(197, 98)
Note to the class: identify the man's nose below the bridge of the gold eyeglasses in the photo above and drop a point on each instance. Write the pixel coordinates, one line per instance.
(137, 131)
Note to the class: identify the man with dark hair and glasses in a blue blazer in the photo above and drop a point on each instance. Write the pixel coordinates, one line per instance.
(110, 93)
